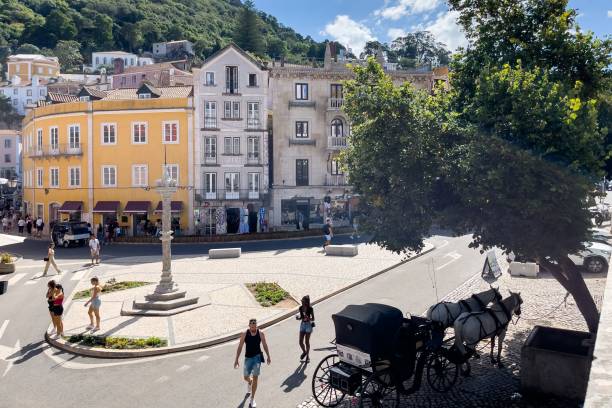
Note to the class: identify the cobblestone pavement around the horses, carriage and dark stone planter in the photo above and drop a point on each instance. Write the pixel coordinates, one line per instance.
(489, 386)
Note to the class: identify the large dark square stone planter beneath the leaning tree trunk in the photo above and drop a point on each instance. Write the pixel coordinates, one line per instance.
(556, 362)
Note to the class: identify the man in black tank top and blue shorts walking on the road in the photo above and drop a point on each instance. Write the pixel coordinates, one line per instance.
(253, 357)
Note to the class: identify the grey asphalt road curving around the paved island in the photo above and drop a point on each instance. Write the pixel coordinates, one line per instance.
(34, 375)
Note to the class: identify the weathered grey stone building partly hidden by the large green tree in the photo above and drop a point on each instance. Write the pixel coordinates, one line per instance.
(309, 131)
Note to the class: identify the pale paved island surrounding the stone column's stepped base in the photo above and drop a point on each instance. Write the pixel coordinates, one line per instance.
(299, 271)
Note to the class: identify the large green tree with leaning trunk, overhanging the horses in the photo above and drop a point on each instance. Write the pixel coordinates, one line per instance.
(509, 154)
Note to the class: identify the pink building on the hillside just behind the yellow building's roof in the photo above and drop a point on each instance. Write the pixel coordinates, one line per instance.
(159, 75)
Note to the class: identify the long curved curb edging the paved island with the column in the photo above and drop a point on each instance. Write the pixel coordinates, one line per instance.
(109, 353)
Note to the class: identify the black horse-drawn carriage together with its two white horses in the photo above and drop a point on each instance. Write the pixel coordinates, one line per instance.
(381, 355)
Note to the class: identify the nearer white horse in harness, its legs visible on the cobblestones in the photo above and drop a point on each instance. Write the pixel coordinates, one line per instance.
(470, 328)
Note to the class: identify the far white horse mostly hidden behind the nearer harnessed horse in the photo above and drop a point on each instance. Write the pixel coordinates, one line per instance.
(445, 313)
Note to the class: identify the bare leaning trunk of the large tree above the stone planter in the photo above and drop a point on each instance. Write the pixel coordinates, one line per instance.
(568, 275)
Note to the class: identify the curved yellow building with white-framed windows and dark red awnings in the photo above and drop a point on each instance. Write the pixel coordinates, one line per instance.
(98, 158)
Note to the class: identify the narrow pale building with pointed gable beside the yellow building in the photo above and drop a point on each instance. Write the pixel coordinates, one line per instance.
(231, 150)
